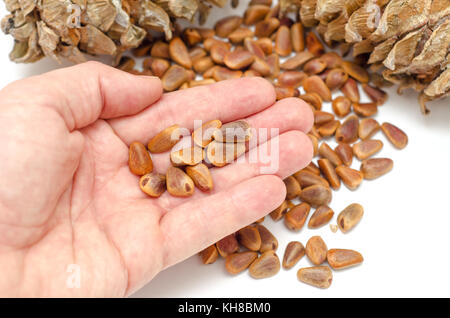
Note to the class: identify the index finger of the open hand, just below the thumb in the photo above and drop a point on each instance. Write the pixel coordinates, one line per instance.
(226, 101)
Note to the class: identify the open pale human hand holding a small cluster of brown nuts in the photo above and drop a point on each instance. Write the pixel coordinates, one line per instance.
(67, 195)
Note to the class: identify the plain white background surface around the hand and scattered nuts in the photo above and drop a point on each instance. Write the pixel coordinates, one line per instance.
(404, 235)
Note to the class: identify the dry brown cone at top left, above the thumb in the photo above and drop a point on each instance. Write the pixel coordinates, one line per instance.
(72, 28)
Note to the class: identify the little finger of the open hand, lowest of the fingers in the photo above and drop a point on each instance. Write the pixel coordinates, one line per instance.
(197, 224)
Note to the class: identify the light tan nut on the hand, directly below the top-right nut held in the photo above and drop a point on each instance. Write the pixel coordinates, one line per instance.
(220, 154)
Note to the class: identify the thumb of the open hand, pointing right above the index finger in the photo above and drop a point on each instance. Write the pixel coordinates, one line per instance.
(81, 94)
